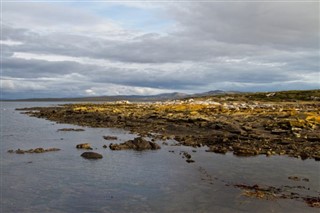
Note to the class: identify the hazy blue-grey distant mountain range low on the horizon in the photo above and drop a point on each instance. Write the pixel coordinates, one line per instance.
(159, 97)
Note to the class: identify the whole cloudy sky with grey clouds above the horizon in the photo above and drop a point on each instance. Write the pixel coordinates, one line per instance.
(94, 48)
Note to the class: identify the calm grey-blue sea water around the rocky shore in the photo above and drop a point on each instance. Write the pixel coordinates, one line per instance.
(130, 181)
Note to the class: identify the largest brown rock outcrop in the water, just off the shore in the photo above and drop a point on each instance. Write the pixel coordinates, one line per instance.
(138, 144)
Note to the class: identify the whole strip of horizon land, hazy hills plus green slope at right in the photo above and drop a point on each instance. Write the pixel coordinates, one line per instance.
(217, 95)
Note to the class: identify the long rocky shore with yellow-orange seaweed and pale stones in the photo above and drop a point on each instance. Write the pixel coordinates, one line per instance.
(246, 128)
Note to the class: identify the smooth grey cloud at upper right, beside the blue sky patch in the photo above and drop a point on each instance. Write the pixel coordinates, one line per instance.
(275, 24)
